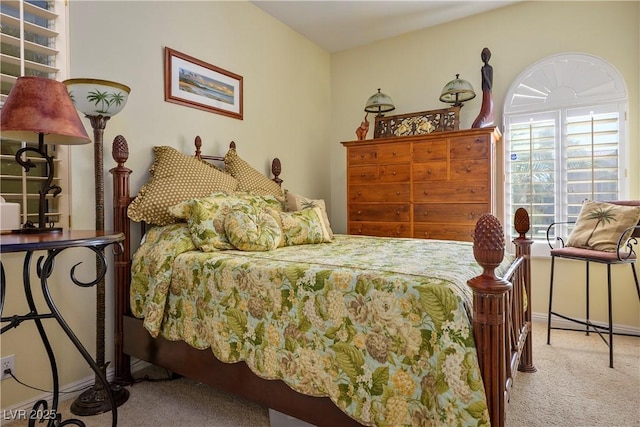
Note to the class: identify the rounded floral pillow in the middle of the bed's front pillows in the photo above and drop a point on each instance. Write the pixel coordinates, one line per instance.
(250, 229)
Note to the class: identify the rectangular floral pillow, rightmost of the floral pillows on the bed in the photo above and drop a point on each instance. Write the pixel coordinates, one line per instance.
(303, 227)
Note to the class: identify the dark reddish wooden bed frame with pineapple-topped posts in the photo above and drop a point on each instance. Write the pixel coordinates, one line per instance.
(502, 329)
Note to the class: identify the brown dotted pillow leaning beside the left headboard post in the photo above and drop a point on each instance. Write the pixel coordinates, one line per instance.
(176, 177)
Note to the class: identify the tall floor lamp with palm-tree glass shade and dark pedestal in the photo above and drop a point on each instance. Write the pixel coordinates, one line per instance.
(98, 100)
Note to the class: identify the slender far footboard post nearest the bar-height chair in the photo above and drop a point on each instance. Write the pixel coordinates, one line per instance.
(523, 249)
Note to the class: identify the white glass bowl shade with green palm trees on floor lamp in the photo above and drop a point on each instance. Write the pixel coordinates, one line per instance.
(94, 97)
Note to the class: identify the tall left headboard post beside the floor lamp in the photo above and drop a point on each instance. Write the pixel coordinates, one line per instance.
(122, 259)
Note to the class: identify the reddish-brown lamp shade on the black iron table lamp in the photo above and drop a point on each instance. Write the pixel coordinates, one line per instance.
(39, 109)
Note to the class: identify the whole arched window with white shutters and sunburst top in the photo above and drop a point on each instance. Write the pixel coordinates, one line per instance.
(565, 139)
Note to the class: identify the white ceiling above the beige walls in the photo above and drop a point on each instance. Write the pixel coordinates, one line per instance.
(337, 25)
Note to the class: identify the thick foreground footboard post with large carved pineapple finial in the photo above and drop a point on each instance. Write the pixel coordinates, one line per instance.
(489, 315)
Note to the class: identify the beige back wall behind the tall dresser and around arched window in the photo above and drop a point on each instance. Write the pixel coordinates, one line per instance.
(413, 68)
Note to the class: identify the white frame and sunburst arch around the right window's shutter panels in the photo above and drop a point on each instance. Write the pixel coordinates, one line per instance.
(551, 88)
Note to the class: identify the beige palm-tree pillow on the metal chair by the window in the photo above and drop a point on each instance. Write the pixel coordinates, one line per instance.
(600, 225)
